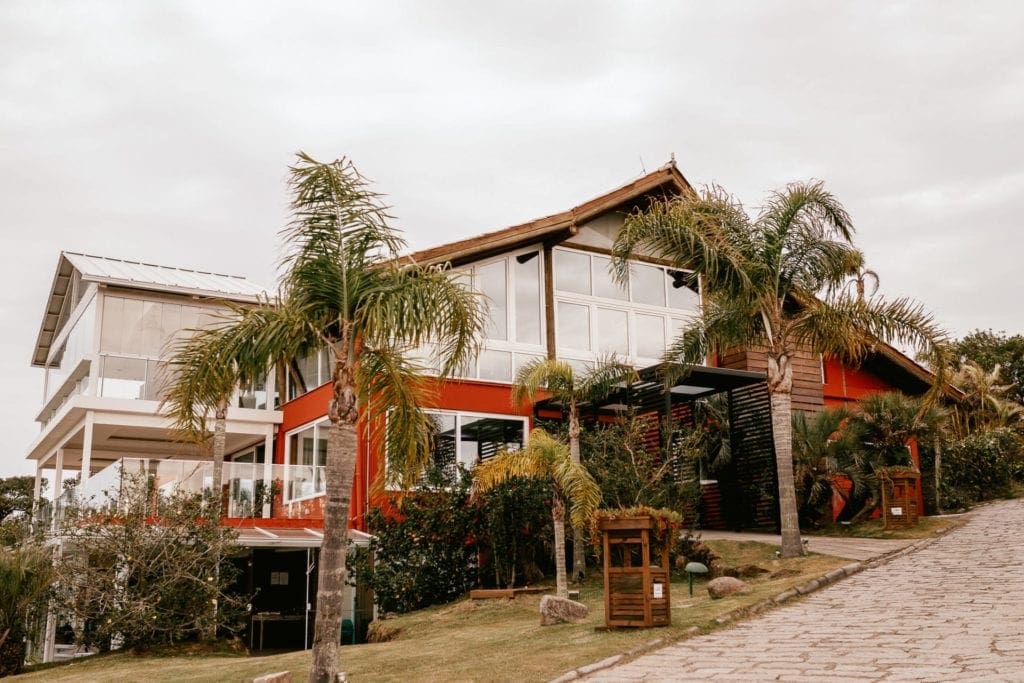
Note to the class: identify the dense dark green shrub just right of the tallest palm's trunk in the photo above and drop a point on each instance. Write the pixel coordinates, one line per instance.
(424, 548)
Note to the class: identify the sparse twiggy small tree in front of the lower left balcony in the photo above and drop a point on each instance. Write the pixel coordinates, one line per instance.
(147, 571)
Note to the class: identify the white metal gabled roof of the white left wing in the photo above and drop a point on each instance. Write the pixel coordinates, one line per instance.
(135, 275)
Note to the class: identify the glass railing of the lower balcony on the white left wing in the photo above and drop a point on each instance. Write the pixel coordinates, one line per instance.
(247, 493)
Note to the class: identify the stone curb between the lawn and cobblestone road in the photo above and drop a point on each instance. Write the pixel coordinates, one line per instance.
(818, 584)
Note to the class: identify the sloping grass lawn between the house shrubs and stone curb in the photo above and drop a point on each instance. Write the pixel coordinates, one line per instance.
(485, 641)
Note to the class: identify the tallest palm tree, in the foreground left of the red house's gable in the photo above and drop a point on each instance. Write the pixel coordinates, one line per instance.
(345, 289)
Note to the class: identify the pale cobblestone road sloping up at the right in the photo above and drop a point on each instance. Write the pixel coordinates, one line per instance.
(954, 611)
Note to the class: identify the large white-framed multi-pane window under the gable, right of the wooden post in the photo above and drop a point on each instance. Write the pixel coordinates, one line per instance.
(595, 316)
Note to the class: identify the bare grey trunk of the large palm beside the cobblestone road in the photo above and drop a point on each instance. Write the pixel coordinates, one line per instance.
(781, 390)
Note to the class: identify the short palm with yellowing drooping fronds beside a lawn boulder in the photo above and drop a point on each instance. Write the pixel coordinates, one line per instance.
(548, 459)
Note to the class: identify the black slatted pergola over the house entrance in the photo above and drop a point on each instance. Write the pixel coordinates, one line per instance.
(745, 495)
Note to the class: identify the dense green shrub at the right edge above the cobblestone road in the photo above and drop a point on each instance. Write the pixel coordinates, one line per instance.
(980, 466)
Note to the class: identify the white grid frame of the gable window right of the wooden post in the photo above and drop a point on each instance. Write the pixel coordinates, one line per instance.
(631, 309)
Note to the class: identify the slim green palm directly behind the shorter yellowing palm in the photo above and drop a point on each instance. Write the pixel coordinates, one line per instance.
(571, 390)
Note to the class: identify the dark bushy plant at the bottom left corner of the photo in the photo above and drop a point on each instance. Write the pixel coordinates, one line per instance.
(26, 576)
